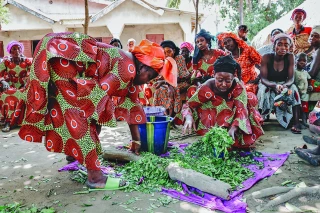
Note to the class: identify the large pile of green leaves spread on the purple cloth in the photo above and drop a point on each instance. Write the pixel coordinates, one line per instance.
(149, 174)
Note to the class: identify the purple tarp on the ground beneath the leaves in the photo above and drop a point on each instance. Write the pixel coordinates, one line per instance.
(189, 194)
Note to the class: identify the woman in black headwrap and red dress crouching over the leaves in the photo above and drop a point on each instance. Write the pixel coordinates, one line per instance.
(223, 101)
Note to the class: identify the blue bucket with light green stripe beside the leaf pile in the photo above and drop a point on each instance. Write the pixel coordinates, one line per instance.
(154, 134)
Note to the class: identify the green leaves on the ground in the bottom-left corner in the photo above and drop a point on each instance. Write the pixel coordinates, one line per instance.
(19, 208)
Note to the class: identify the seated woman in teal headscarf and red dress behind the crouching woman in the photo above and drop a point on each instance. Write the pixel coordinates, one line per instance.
(203, 60)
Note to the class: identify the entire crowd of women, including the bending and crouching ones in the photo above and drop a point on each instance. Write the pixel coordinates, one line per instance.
(75, 85)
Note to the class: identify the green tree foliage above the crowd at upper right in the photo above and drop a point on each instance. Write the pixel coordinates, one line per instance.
(260, 16)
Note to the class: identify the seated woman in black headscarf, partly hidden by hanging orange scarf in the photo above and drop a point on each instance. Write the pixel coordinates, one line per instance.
(166, 95)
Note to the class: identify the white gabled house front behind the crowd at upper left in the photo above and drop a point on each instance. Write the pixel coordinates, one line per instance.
(128, 20)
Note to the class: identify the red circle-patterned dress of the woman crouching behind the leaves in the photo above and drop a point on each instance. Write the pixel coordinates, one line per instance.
(238, 110)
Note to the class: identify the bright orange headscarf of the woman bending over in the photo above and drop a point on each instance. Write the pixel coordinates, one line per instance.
(152, 55)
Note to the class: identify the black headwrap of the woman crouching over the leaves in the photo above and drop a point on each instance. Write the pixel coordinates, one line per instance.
(226, 64)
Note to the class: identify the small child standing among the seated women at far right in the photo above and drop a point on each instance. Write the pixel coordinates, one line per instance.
(301, 77)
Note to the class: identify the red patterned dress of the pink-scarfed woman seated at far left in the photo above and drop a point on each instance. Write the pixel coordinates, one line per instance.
(12, 100)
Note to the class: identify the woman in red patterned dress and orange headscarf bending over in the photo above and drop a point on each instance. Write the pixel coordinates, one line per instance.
(69, 97)
